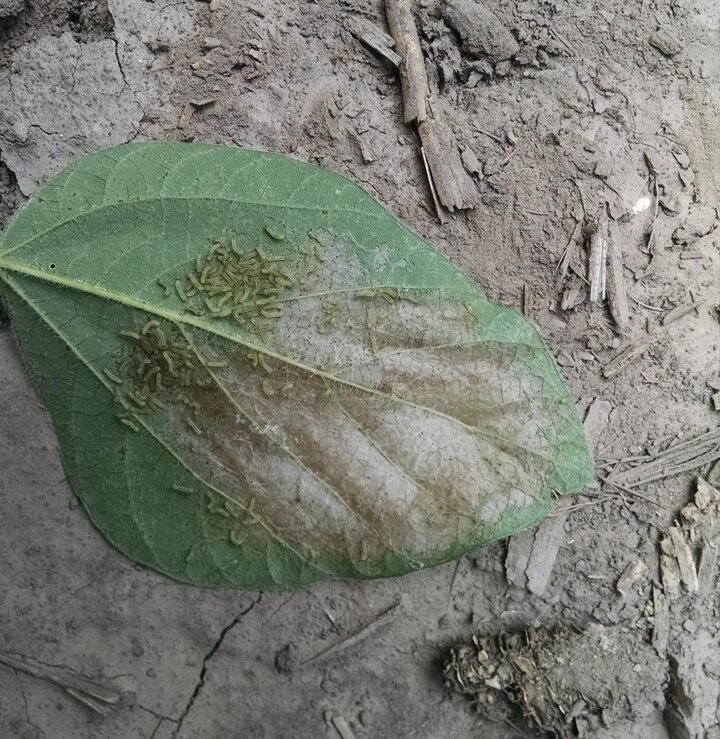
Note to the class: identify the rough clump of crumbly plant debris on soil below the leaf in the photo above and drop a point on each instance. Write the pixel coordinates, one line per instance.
(546, 680)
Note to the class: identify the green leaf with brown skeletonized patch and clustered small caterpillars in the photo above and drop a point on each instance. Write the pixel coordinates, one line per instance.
(259, 377)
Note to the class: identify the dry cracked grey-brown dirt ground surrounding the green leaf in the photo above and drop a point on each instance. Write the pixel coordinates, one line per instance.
(613, 102)
